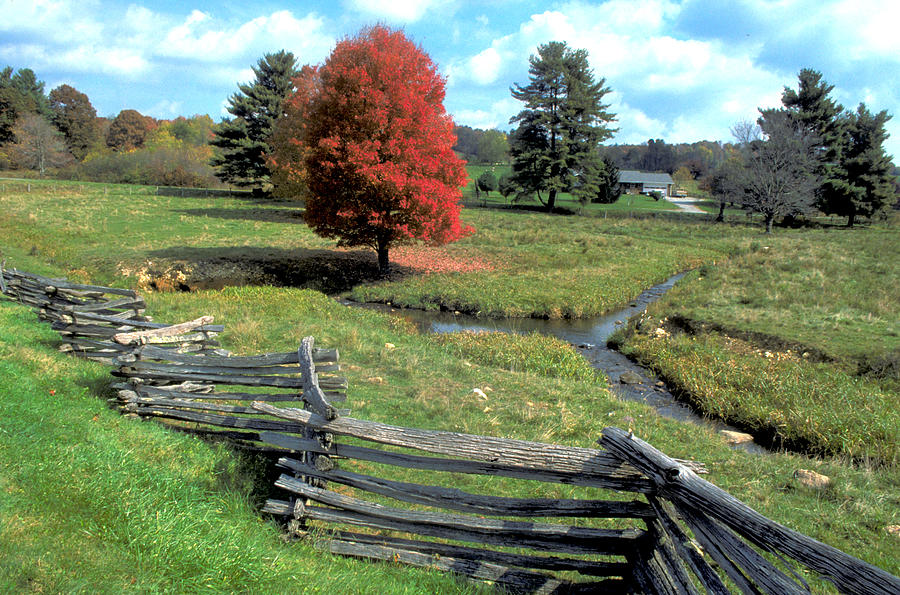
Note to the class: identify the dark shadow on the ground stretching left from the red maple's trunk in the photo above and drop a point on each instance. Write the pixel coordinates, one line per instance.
(329, 271)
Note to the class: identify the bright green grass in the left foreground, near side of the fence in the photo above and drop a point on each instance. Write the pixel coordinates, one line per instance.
(94, 502)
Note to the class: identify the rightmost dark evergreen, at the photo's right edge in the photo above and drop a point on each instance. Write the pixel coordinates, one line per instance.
(869, 179)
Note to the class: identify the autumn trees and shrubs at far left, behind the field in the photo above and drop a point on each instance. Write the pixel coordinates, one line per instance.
(60, 133)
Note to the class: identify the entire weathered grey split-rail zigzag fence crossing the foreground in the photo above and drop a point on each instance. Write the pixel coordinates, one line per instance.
(659, 527)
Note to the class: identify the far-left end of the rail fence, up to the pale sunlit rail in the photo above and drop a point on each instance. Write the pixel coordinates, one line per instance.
(88, 317)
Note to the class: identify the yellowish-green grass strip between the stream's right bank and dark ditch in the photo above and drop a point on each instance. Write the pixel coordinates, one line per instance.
(779, 396)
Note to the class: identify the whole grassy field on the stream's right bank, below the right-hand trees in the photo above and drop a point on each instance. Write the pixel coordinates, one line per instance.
(828, 294)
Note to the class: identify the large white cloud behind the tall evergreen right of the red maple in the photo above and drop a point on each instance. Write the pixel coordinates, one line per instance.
(631, 46)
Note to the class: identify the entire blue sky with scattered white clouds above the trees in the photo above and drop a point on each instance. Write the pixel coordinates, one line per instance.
(679, 70)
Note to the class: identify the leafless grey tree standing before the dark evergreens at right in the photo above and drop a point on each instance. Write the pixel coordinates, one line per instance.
(780, 163)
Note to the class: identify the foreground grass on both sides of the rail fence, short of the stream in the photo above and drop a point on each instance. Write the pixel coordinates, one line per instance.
(144, 505)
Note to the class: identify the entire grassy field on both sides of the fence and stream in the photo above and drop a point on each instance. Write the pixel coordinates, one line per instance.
(792, 337)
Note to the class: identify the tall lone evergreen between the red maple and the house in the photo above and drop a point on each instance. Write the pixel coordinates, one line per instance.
(563, 122)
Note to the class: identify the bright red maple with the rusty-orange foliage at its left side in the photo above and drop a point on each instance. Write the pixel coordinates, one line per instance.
(367, 138)
